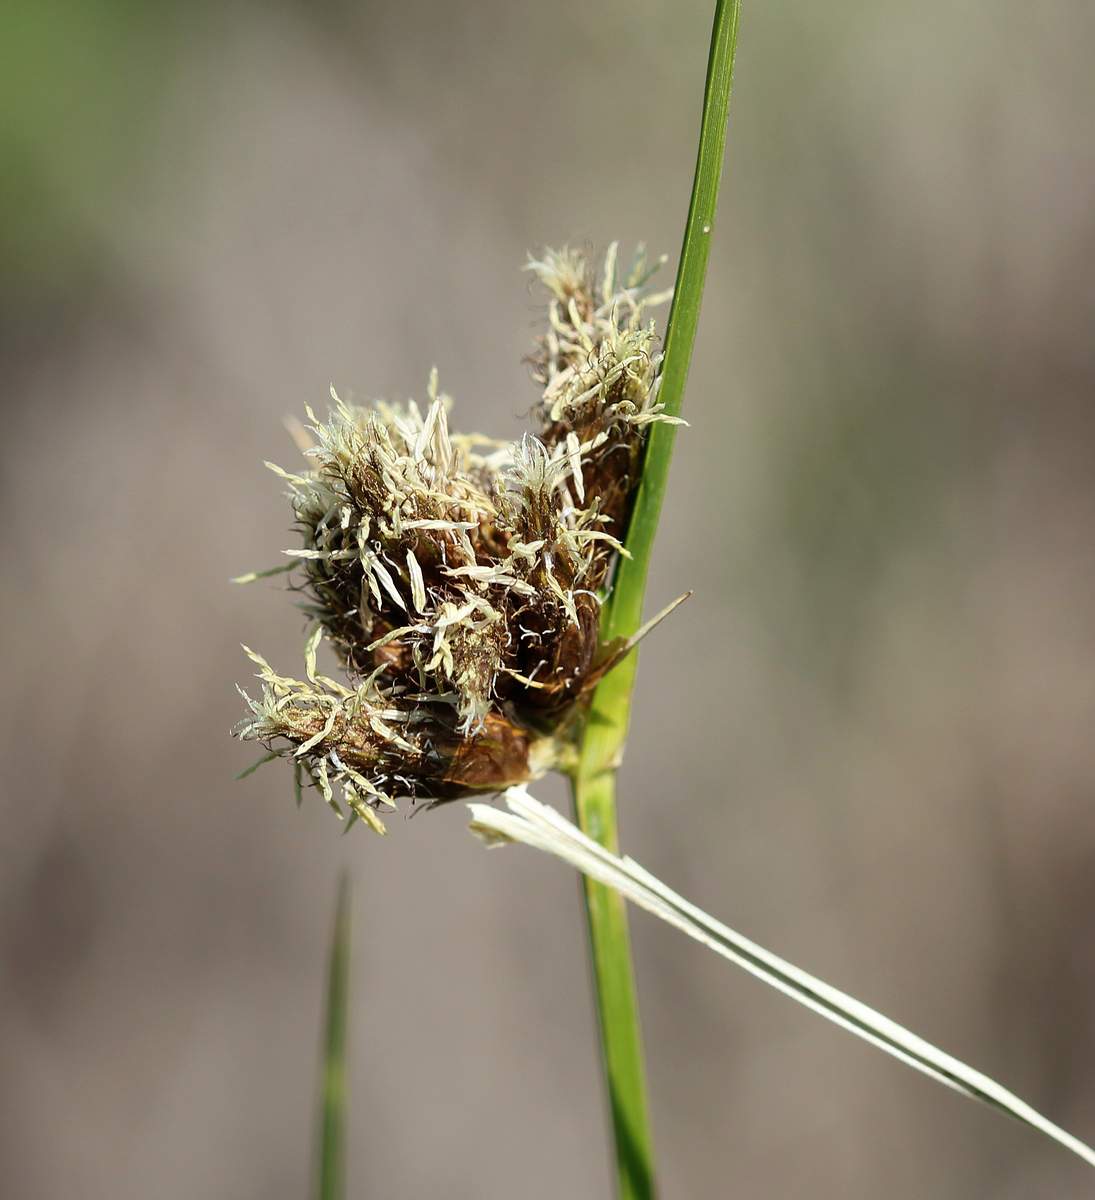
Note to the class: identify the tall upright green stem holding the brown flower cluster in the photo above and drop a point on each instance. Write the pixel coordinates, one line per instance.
(594, 783)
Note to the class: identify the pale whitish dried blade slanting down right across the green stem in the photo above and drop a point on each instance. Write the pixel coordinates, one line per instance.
(540, 826)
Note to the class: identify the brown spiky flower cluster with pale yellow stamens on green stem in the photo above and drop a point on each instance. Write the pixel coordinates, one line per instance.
(460, 580)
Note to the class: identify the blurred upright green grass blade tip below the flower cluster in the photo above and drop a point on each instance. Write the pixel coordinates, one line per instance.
(331, 1155)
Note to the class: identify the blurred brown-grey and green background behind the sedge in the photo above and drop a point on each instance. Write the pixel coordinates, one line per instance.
(866, 742)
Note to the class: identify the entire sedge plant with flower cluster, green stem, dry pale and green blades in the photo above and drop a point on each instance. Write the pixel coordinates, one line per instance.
(484, 601)
